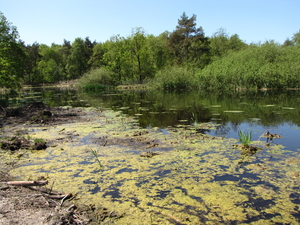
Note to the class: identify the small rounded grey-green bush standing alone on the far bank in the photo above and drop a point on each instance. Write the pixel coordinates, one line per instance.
(97, 78)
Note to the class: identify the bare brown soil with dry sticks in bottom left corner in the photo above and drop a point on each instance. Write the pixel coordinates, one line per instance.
(24, 205)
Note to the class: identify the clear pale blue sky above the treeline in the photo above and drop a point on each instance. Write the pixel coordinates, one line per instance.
(52, 21)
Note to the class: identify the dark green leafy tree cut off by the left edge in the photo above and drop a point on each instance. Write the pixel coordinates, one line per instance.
(12, 55)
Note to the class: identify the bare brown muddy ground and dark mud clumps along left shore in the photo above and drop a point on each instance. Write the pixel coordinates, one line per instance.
(39, 205)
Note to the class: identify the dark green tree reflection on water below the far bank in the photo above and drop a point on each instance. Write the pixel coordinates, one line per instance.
(166, 109)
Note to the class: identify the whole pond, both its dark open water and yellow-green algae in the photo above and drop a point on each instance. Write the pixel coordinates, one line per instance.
(194, 179)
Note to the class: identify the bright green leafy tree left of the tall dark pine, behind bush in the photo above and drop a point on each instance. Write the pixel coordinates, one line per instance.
(132, 59)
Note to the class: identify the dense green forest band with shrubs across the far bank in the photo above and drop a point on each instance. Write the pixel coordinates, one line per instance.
(183, 58)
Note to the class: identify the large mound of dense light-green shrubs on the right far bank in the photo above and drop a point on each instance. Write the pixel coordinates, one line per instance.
(266, 66)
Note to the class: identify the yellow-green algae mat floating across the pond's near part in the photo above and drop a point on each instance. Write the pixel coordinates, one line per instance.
(192, 178)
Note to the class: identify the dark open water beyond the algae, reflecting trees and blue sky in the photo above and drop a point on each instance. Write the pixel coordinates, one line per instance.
(257, 111)
